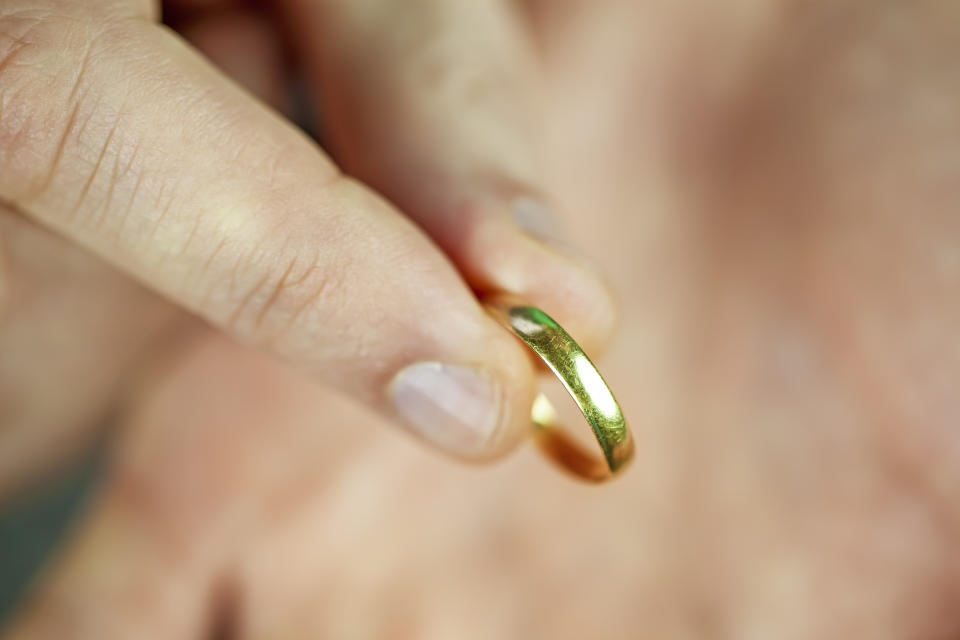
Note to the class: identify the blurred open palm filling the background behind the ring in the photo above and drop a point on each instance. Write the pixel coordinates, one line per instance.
(773, 191)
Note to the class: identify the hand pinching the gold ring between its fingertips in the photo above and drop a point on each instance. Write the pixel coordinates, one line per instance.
(118, 140)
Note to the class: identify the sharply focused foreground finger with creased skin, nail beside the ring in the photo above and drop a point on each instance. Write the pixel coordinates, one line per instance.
(120, 137)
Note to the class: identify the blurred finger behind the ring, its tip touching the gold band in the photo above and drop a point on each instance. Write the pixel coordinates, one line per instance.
(435, 104)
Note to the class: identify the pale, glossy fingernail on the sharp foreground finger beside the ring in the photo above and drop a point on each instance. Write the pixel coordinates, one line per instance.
(455, 407)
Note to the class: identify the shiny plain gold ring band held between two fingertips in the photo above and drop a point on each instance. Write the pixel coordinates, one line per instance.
(581, 379)
